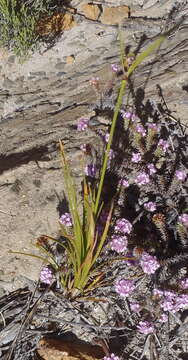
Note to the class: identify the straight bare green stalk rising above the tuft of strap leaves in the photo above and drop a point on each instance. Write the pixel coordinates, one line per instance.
(116, 112)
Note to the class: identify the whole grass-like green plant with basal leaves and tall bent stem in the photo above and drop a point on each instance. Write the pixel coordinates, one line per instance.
(82, 270)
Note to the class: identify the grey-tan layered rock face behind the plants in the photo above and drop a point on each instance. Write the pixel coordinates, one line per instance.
(42, 98)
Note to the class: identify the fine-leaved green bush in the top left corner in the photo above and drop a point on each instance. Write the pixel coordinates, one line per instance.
(18, 24)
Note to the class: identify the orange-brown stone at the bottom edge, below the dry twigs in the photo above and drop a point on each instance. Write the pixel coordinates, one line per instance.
(59, 349)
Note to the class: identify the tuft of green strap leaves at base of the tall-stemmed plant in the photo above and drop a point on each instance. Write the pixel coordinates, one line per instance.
(84, 244)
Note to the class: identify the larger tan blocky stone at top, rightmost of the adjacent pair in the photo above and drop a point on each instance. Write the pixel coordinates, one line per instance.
(114, 15)
